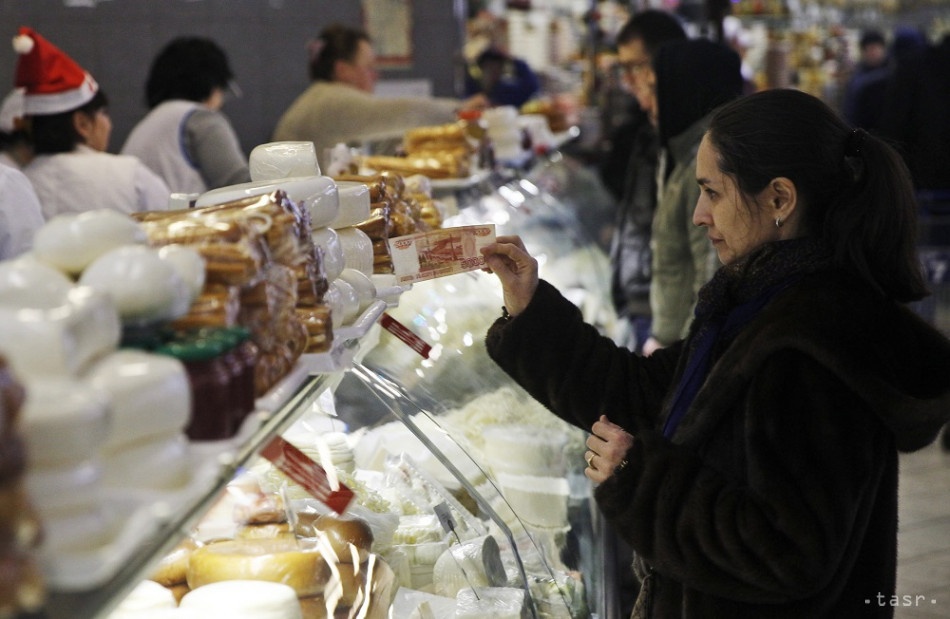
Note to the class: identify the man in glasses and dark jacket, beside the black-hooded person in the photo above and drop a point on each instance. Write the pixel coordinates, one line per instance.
(636, 149)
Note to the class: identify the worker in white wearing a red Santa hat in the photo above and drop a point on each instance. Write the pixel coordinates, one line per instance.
(69, 129)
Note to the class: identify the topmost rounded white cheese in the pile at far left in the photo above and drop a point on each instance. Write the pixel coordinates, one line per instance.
(71, 242)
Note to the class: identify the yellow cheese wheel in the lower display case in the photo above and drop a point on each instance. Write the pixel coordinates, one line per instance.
(296, 563)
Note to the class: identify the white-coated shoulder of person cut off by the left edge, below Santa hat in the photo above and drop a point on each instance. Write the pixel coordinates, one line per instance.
(20, 214)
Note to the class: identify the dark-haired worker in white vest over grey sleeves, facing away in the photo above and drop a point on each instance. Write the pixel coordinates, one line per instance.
(185, 138)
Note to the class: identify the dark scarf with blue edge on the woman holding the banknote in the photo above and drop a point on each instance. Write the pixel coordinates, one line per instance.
(732, 298)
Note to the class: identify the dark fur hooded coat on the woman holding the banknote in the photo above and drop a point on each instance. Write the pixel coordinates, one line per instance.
(777, 496)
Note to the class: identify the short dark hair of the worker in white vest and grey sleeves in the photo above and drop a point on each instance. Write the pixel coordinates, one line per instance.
(187, 68)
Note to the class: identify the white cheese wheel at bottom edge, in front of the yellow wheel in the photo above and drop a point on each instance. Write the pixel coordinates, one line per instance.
(244, 599)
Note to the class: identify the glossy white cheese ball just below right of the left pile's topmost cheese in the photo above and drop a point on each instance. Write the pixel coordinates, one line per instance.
(144, 288)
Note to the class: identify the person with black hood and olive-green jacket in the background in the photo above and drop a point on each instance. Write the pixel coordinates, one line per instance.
(692, 78)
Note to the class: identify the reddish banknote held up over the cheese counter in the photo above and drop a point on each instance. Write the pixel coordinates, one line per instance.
(437, 253)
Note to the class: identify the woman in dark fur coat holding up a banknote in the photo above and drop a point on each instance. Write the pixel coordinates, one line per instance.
(753, 466)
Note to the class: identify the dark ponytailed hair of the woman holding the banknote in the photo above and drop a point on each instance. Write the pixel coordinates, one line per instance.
(854, 190)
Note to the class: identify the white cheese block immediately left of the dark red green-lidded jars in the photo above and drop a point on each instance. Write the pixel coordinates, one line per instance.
(149, 393)
